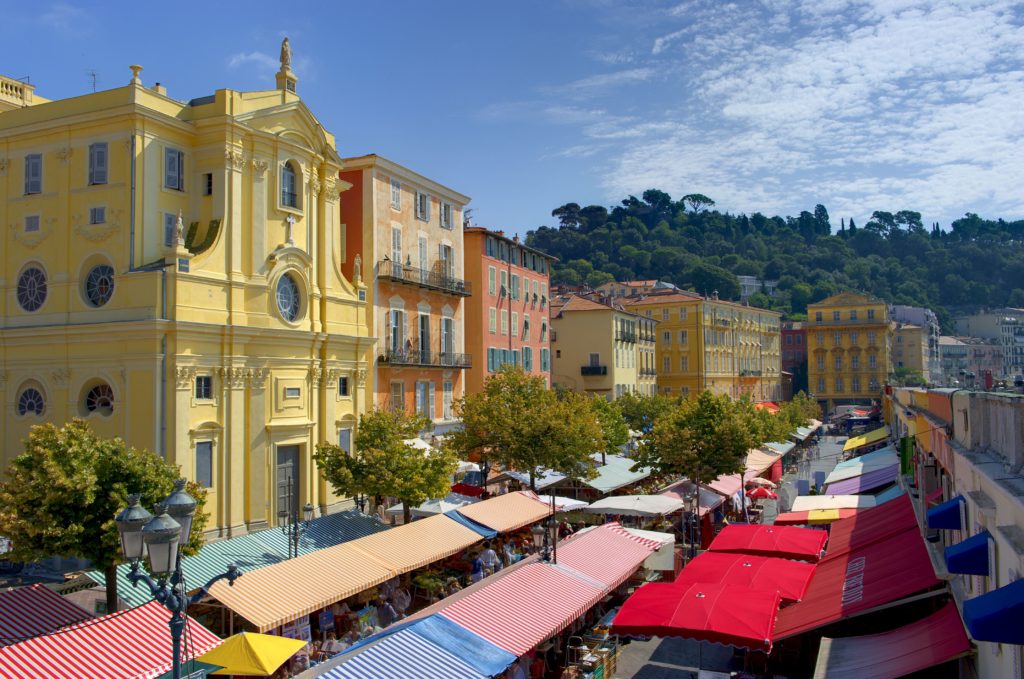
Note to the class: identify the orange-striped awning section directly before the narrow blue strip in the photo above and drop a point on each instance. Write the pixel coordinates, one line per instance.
(428, 540)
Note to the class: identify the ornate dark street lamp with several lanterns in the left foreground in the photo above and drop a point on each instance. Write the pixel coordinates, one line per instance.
(160, 536)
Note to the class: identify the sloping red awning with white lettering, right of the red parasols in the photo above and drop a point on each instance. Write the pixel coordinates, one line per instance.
(858, 581)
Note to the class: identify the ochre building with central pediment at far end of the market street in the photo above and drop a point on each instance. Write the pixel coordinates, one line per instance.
(848, 349)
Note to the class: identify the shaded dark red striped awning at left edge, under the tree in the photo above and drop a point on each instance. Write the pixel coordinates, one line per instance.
(29, 612)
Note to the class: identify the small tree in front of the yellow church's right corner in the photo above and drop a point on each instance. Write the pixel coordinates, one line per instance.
(385, 465)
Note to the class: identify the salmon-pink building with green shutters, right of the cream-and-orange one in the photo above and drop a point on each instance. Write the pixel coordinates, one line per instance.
(507, 319)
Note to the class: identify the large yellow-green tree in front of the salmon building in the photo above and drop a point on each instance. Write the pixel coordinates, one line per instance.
(520, 425)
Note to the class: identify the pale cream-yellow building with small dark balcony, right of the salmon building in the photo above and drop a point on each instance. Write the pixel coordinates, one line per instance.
(602, 350)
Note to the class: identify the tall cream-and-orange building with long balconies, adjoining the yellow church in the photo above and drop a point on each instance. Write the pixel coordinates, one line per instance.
(406, 234)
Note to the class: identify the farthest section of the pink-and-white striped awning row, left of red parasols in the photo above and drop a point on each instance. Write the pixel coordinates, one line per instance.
(608, 555)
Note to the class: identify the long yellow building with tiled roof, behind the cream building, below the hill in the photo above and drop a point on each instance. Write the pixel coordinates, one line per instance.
(706, 344)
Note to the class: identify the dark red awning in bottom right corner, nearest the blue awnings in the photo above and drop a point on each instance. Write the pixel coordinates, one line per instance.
(928, 643)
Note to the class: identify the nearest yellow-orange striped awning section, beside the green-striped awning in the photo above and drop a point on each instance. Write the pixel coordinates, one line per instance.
(280, 593)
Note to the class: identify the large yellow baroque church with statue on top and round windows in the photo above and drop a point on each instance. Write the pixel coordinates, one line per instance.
(173, 273)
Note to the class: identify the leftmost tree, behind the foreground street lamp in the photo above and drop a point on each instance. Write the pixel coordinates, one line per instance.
(63, 493)
